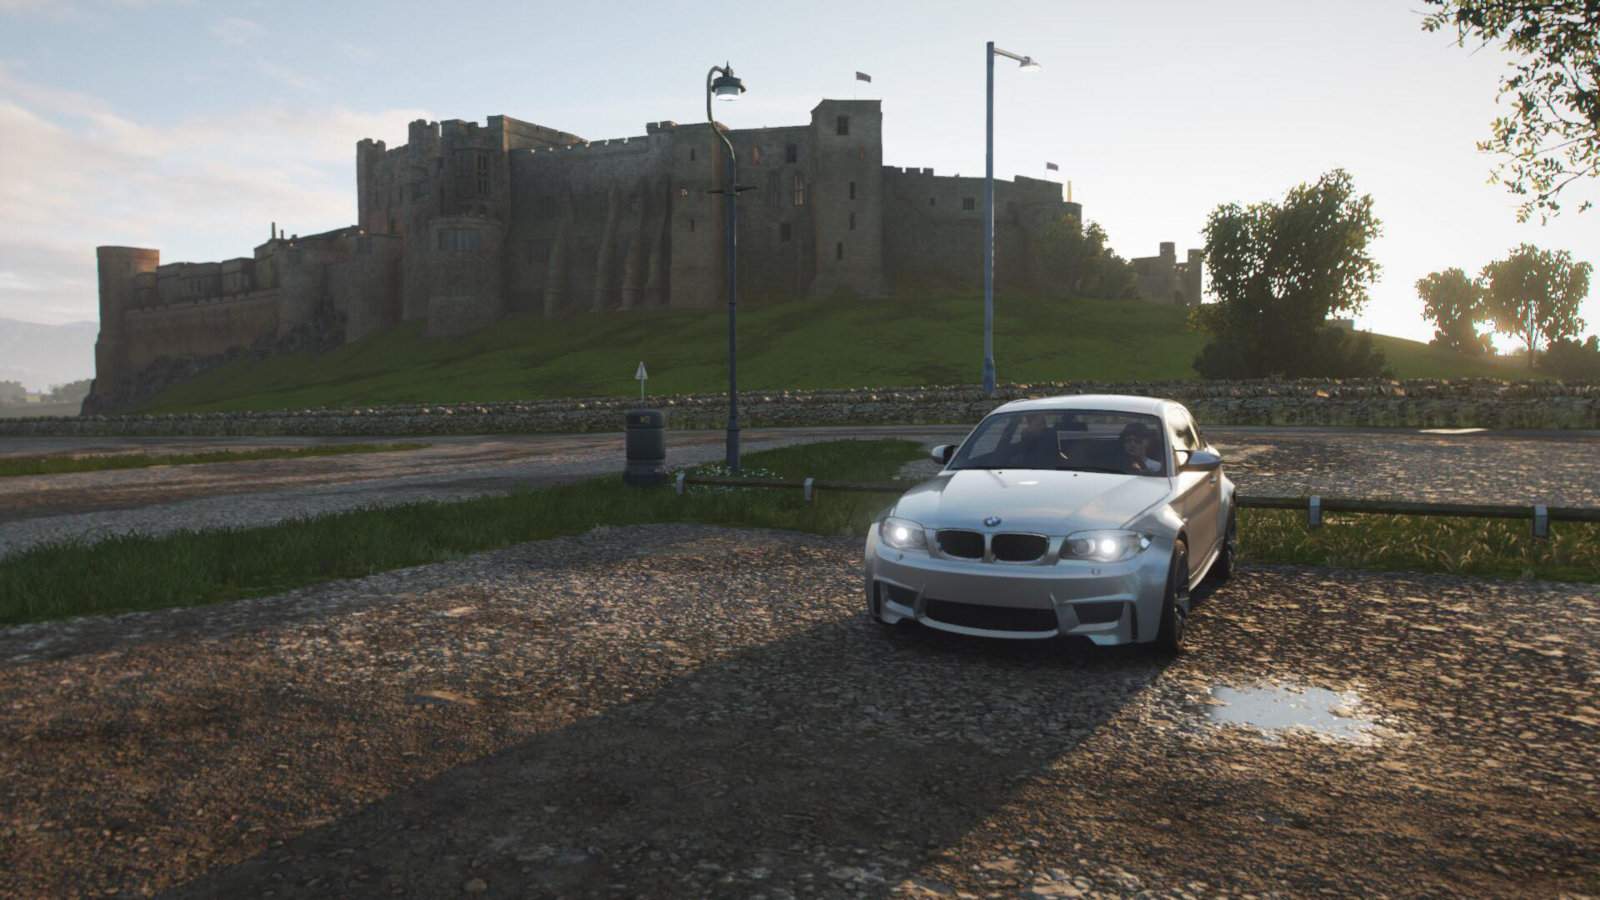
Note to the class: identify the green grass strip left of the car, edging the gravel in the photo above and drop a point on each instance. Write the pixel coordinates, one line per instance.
(201, 568)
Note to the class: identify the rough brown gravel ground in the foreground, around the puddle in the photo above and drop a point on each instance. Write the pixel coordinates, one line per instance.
(695, 712)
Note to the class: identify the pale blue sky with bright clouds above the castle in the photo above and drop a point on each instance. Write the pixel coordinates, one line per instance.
(191, 127)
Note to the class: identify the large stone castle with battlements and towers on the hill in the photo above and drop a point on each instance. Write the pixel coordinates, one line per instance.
(470, 223)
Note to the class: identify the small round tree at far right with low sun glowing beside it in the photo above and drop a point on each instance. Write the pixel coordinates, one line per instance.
(1535, 294)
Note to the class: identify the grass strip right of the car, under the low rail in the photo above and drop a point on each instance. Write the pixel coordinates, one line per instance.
(1489, 548)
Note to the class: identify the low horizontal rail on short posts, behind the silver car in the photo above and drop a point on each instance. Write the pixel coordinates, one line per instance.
(1316, 505)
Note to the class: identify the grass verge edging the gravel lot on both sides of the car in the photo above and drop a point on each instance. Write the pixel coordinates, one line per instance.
(201, 568)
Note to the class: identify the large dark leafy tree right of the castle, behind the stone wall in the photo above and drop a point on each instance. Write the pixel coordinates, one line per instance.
(1279, 271)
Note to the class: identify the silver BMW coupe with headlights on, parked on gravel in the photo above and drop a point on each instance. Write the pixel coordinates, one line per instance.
(1089, 516)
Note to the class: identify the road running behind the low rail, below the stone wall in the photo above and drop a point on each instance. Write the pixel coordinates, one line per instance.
(1554, 468)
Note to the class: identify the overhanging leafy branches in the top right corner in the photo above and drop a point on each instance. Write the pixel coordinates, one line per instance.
(1553, 134)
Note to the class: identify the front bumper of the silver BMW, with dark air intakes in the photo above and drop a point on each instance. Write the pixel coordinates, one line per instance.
(1108, 603)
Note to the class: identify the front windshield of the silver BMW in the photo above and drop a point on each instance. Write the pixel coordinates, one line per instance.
(1084, 441)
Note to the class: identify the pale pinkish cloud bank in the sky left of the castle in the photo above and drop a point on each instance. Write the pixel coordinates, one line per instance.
(81, 175)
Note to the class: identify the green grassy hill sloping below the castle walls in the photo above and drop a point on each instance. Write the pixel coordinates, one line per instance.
(834, 344)
